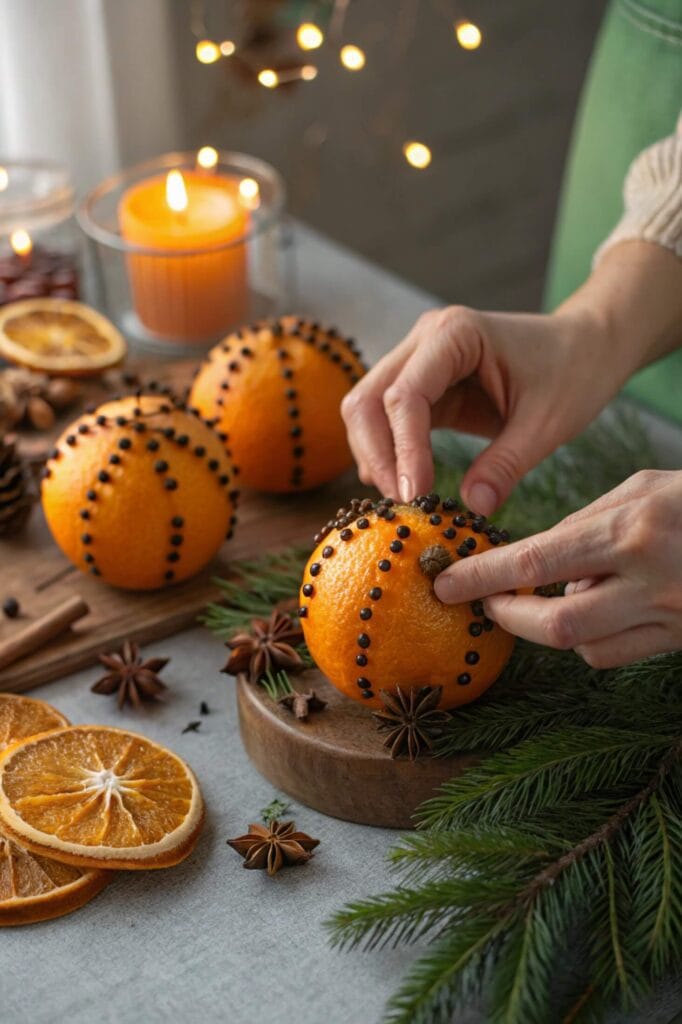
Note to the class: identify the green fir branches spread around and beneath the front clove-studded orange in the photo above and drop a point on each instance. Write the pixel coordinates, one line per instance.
(546, 880)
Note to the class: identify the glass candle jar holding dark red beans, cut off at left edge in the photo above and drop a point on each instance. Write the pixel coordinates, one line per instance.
(39, 239)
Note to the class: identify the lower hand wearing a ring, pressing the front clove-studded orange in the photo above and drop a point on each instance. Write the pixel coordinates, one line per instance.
(623, 554)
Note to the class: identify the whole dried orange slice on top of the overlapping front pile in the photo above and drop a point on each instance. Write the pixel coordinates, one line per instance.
(99, 797)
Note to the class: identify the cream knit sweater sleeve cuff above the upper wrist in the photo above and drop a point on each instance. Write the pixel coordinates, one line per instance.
(653, 195)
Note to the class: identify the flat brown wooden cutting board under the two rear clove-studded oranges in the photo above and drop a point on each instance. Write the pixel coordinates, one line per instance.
(34, 571)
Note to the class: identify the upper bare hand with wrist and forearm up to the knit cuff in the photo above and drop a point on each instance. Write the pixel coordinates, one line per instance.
(529, 382)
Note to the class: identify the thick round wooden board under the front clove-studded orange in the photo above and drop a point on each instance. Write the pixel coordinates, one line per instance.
(335, 761)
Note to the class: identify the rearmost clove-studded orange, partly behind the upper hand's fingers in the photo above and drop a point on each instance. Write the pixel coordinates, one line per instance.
(276, 389)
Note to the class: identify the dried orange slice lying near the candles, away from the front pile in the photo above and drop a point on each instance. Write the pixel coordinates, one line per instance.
(60, 337)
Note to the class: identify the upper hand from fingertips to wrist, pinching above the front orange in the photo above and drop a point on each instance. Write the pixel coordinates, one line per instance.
(527, 381)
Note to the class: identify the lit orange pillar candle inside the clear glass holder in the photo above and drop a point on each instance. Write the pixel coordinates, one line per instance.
(187, 295)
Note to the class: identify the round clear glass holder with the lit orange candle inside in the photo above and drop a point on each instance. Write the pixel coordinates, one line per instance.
(188, 246)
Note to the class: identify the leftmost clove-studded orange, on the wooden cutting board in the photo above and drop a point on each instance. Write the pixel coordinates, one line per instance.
(140, 493)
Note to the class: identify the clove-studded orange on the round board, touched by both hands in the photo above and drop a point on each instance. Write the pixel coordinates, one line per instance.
(371, 618)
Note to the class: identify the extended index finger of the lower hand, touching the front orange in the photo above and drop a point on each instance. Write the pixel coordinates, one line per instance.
(562, 553)
